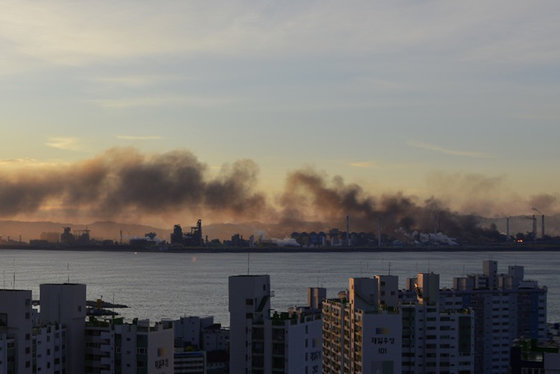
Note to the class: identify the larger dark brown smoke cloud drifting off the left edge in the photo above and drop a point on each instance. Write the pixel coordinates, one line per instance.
(124, 180)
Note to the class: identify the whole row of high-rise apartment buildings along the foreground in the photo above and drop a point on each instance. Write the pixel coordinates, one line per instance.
(372, 326)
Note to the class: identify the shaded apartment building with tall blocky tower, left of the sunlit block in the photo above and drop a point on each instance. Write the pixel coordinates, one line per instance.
(282, 343)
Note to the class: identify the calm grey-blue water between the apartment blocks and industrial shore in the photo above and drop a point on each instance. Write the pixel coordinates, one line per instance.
(169, 285)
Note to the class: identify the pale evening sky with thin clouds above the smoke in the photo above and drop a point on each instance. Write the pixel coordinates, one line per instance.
(457, 100)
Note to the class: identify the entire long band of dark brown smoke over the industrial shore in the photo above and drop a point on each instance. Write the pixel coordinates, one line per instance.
(123, 181)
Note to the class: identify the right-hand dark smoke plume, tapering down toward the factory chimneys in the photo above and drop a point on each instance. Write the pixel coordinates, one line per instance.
(310, 196)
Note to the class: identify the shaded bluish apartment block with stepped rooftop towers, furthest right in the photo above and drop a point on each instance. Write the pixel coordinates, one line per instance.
(505, 306)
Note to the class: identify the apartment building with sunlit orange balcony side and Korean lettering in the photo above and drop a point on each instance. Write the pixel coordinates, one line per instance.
(362, 333)
